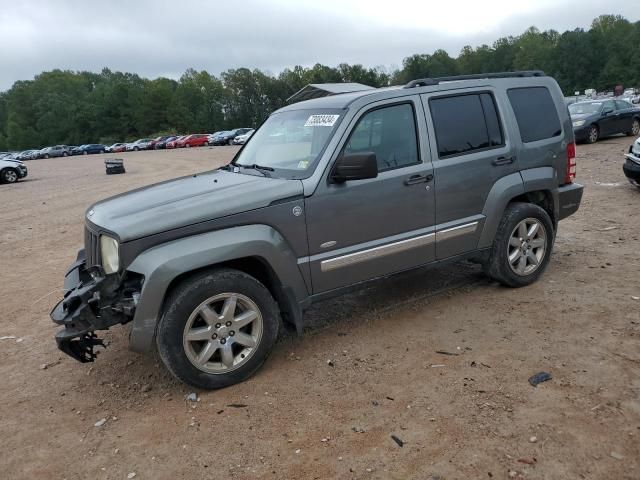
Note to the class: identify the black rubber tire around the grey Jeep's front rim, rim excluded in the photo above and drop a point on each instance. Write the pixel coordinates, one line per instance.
(185, 298)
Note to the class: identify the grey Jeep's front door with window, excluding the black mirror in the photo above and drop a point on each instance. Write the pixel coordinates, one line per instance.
(362, 229)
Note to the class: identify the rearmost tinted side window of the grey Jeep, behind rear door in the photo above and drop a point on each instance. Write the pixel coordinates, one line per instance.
(535, 113)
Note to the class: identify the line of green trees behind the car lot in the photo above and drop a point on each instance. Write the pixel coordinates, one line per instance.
(66, 107)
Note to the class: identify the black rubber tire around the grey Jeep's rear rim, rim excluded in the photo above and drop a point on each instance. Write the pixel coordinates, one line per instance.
(498, 266)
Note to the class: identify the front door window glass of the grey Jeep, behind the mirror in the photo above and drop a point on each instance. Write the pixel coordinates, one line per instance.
(390, 133)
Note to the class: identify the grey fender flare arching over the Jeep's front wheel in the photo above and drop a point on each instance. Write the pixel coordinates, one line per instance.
(162, 264)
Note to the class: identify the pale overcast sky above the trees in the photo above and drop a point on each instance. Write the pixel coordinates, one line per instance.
(164, 38)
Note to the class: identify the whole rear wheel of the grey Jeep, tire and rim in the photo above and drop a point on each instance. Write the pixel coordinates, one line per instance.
(522, 247)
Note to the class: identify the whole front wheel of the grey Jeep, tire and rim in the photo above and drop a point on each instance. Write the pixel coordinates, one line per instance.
(218, 328)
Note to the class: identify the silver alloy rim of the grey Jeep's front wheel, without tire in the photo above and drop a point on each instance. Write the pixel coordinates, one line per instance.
(222, 333)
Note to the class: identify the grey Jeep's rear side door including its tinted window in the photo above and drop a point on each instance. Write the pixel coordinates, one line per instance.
(470, 153)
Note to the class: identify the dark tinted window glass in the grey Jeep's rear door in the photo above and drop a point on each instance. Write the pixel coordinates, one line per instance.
(465, 123)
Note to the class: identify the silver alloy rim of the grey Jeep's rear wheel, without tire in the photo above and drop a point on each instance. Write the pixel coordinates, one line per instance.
(527, 246)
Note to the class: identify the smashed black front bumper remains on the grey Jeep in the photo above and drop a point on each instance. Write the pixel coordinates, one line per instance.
(92, 301)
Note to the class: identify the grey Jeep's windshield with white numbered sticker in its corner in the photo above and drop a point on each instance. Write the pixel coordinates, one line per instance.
(290, 142)
